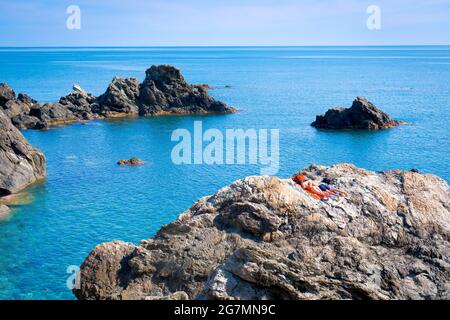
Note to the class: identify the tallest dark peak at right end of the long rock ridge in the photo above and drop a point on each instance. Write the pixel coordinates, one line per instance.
(165, 91)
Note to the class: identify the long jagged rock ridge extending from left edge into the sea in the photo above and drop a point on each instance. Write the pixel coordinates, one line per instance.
(164, 91)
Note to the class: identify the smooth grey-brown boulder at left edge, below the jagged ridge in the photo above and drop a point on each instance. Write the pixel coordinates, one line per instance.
(20, 163)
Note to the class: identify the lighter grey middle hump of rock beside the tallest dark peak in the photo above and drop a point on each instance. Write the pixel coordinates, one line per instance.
(120, 98)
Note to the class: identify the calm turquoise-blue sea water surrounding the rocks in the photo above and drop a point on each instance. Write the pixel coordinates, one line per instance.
(87, 199)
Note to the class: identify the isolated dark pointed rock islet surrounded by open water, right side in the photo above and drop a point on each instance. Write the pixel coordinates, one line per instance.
(361, 115)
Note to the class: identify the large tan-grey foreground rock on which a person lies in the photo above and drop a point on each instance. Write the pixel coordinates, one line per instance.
(266, 238)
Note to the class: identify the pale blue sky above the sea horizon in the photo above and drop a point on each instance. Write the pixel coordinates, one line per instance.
(225, 22)
